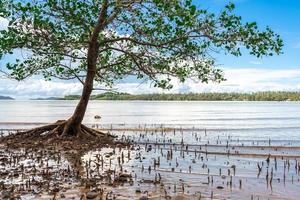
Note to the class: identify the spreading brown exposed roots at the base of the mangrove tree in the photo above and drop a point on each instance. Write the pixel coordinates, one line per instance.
(53, 138)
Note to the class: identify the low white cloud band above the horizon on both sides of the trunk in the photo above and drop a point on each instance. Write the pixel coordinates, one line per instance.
(238, 80)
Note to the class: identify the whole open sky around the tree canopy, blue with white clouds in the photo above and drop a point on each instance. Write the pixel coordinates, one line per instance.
(243, 74)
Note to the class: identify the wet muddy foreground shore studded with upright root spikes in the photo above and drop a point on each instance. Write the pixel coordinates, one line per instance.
(161, 163)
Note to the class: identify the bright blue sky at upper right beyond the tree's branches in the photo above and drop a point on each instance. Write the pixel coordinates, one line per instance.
(283, 16)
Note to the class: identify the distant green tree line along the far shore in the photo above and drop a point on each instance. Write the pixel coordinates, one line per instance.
(257, 96)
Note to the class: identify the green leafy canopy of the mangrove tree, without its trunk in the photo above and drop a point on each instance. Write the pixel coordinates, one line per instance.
(155, 40)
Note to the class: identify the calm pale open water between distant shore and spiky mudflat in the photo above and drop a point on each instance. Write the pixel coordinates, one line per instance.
(276, 117)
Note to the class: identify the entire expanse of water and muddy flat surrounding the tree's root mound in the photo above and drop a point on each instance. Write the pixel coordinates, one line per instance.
(174, 150)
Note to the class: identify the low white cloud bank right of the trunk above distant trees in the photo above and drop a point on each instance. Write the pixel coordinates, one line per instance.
(238, 80)
